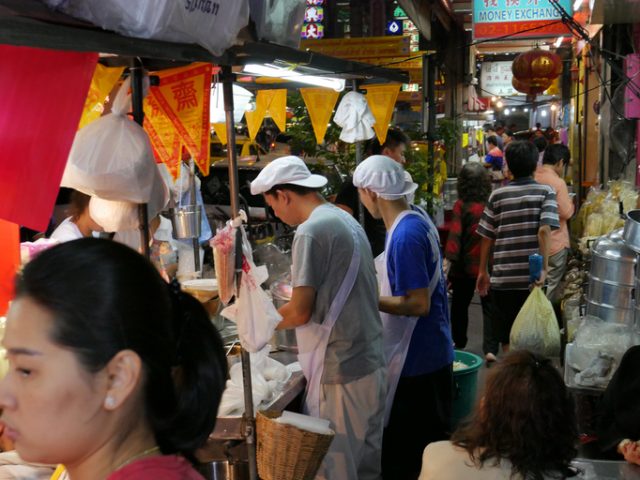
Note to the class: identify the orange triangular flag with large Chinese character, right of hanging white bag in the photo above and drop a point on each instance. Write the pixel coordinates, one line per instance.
(183, 96)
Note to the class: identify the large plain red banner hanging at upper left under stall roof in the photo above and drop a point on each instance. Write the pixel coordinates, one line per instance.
(42, 93)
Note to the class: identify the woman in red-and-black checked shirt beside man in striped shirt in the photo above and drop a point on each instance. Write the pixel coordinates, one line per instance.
(462, 251)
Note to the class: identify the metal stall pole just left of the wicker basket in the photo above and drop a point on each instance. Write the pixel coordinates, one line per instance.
(248, 418)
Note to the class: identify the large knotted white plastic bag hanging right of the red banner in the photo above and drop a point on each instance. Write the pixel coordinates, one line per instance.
(112, 157)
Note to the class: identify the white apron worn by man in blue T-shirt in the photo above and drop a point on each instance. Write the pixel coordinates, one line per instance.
(396, 329)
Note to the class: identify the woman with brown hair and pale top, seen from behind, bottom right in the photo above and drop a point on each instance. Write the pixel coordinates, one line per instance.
(523, 428)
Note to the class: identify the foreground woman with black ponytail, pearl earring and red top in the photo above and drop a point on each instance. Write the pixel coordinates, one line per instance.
(113, 373)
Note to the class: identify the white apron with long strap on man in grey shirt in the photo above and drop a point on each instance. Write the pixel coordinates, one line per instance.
(313, 337)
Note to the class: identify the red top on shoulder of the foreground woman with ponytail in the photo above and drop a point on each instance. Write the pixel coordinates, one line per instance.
(164, 467)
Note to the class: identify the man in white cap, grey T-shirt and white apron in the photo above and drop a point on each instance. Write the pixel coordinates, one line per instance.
(334, 310)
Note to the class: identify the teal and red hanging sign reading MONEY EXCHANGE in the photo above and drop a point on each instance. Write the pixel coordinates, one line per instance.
(518, 18)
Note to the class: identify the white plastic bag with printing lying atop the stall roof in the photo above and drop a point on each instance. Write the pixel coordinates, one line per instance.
(214, 24)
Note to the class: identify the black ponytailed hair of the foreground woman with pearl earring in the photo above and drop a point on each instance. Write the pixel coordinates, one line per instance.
(106, 297)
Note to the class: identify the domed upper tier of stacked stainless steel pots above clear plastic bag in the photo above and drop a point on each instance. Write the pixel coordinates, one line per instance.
(613, 261)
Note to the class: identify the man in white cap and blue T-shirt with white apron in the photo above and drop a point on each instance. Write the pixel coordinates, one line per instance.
(415, 318)
